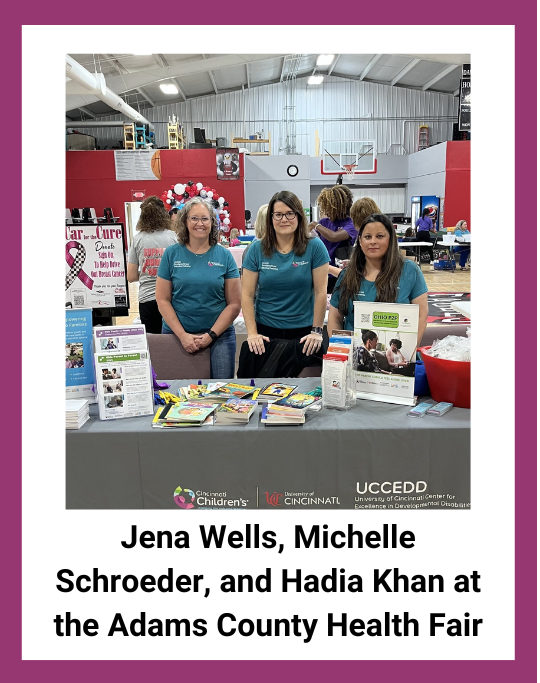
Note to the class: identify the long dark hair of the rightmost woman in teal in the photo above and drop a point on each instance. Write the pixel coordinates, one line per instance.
(387, 280)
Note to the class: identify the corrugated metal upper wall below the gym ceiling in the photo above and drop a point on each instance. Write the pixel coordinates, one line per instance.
(338, 110)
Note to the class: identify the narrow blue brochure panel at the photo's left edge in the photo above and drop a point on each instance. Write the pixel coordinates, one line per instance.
(80, 377)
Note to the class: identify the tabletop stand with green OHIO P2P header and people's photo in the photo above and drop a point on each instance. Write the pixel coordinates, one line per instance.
(384, 357)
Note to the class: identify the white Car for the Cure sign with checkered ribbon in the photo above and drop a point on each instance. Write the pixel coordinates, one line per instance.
(96, 274)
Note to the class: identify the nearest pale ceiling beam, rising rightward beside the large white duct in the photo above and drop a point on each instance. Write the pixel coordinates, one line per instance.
(142, 79)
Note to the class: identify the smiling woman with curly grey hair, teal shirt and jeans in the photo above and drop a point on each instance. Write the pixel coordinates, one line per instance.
(198, 288)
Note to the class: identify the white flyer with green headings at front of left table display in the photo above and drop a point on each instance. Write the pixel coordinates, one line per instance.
(124, 383)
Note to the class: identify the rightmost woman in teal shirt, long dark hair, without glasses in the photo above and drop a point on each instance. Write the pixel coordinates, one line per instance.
(377, 272)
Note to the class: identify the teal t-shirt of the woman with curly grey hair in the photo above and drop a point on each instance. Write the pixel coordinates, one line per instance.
(198, 284)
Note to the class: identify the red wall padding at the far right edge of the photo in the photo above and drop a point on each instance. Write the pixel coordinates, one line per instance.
(457, 199)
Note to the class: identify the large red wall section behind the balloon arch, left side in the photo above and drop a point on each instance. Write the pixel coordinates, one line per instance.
(91, 181)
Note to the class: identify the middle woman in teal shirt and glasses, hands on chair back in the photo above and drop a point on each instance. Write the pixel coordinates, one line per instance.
(291, 269)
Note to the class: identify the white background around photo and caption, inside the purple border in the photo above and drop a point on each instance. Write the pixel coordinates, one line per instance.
(448, 542)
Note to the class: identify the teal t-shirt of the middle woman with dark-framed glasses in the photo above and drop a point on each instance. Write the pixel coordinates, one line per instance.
(285, 294)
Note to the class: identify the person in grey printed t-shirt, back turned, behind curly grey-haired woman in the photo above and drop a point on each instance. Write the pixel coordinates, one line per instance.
(154, 235)
